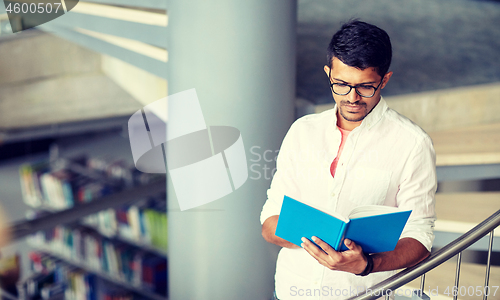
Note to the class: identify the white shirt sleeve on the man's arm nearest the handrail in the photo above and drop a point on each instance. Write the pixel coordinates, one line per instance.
(417, 192)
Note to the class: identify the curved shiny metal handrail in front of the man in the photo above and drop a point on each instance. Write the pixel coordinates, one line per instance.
(442, 255)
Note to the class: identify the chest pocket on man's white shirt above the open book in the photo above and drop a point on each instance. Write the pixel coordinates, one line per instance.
(369, 186)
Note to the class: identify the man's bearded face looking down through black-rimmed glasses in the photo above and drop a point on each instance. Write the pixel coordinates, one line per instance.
(352, 107)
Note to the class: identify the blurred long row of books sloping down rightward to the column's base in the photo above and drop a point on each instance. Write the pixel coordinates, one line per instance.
(120, 261)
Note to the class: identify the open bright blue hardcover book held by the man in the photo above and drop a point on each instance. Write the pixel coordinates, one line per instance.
(376, 228)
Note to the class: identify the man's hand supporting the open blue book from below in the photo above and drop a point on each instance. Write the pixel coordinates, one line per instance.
(352, 260)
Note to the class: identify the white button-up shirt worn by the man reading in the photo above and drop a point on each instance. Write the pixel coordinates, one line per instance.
(387, 160)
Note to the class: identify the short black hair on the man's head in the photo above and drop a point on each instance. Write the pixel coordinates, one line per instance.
(361, 45)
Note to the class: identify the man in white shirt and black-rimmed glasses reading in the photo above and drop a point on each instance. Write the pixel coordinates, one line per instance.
(358, 153)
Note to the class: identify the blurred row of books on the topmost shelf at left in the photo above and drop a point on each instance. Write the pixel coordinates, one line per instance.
(68, 182)
